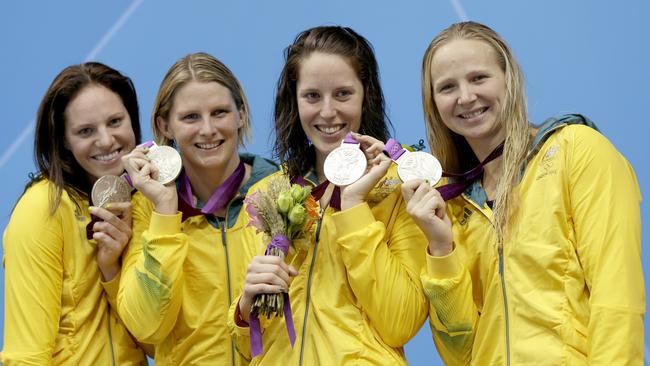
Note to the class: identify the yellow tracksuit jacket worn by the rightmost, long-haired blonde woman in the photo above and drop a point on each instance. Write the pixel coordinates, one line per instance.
(567, 286)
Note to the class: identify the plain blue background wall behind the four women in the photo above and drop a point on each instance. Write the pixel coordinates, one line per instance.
(581, 56)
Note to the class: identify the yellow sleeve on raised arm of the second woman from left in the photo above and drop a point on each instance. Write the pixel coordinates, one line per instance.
(150, 290)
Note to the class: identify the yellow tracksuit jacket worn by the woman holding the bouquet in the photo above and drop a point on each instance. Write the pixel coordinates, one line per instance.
(357, 298)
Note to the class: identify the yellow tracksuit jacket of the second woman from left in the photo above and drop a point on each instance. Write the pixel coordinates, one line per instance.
(178, 278)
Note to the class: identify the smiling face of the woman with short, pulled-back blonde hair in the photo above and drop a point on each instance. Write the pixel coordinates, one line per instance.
(204, 121)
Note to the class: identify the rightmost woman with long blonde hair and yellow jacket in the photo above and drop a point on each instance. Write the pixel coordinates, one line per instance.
(536, 259)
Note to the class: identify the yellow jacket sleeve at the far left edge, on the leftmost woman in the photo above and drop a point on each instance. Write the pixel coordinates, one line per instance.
(33, 260)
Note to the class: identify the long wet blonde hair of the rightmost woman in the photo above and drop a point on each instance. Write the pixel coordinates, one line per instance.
(452, 149)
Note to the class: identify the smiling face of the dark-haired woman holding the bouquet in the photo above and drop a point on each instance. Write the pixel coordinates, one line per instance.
(330, 95)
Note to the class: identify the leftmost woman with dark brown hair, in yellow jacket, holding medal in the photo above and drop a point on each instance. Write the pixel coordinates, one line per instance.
(58, 283)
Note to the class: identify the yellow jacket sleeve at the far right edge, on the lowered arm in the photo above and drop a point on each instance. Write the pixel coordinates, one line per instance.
(605, 199)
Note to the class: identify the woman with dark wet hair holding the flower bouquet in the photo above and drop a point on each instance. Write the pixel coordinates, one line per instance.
(355, 294)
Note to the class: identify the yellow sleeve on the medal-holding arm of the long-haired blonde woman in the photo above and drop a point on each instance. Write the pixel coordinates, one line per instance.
(452, 313)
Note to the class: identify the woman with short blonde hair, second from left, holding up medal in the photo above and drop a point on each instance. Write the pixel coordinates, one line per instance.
(190, 243)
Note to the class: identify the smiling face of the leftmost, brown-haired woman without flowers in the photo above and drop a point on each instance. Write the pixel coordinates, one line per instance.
(98, 131)
